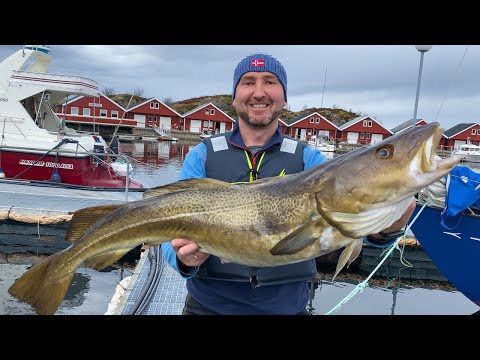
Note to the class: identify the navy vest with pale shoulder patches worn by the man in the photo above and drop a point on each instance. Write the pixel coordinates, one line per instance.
(284, 156)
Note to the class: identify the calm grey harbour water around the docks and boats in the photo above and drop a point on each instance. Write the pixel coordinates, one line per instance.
(159, 163)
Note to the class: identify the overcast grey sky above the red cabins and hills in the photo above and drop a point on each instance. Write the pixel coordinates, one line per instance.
(375, 80)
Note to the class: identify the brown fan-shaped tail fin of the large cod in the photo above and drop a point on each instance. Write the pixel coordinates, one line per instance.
(40, 288)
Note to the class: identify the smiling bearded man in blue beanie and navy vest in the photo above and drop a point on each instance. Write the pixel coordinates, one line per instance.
(254, 149)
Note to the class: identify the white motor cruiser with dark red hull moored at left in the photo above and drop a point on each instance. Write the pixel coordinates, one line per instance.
(35, 144)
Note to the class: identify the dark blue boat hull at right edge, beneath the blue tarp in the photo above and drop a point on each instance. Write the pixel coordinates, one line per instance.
(456, 253)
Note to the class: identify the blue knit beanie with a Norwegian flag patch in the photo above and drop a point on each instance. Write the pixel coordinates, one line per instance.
(260, 62)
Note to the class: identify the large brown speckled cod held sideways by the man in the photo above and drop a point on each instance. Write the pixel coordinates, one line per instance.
(270, 222)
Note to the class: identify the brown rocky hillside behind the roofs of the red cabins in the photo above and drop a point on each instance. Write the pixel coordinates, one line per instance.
(224, 102)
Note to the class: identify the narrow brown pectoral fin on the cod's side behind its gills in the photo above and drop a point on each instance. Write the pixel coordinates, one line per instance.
(297, 240)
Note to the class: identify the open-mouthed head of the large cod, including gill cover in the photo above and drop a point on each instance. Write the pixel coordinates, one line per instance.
(368, 189)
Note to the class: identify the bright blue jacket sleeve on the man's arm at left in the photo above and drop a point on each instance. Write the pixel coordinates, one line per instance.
(193, 167)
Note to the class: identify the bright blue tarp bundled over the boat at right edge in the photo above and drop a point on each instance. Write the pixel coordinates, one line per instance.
(463, 191)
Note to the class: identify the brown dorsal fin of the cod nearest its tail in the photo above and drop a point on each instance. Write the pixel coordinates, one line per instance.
(84, 218)
